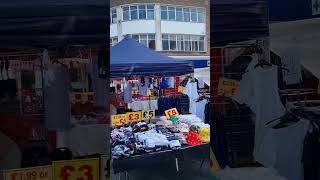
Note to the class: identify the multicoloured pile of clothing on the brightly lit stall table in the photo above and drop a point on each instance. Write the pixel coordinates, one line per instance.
(165, 134)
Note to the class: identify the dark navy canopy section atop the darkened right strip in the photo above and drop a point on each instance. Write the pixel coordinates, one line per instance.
(238, 20)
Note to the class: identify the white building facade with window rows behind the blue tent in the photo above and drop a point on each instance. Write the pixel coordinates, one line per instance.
(177, 28)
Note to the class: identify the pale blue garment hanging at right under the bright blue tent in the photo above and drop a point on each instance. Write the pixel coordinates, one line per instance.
(192, 92)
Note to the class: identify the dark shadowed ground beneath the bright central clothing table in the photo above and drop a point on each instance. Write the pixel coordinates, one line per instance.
(189, 170)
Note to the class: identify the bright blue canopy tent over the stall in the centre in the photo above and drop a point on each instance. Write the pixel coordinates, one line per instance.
(129, 58)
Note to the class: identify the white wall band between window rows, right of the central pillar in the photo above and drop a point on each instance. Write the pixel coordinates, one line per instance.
(174, 27)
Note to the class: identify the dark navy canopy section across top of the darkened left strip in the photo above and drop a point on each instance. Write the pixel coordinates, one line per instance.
(43, 23)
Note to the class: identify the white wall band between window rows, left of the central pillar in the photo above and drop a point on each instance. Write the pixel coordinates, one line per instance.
(138, 27)
